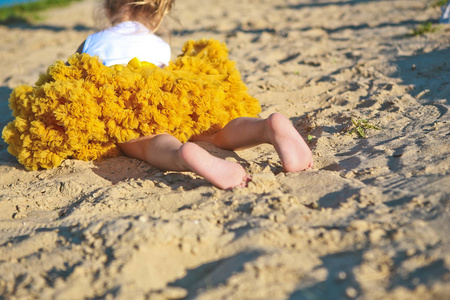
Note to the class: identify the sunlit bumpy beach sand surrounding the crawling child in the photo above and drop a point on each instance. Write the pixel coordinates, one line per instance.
(369, 221)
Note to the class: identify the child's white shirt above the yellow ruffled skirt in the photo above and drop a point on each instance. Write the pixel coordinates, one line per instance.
(121, 43)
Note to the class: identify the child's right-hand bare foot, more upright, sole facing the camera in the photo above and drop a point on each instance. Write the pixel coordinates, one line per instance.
(294, 153)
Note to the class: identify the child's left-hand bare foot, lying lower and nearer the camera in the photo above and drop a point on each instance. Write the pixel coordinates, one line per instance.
(223, 174)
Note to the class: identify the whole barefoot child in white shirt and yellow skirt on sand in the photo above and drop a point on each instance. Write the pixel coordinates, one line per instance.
(85, 110)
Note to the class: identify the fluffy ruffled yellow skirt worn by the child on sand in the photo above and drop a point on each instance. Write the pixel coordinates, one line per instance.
(83, 109)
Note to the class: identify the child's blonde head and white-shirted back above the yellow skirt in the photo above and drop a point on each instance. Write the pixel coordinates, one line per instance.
(132, 33)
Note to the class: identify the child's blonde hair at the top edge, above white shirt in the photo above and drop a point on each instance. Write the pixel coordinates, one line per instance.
(148, 12)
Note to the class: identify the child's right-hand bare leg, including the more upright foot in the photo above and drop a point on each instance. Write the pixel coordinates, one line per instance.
(277, 130)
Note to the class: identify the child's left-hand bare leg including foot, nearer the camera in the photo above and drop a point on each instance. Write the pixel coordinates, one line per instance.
(167, 153)
